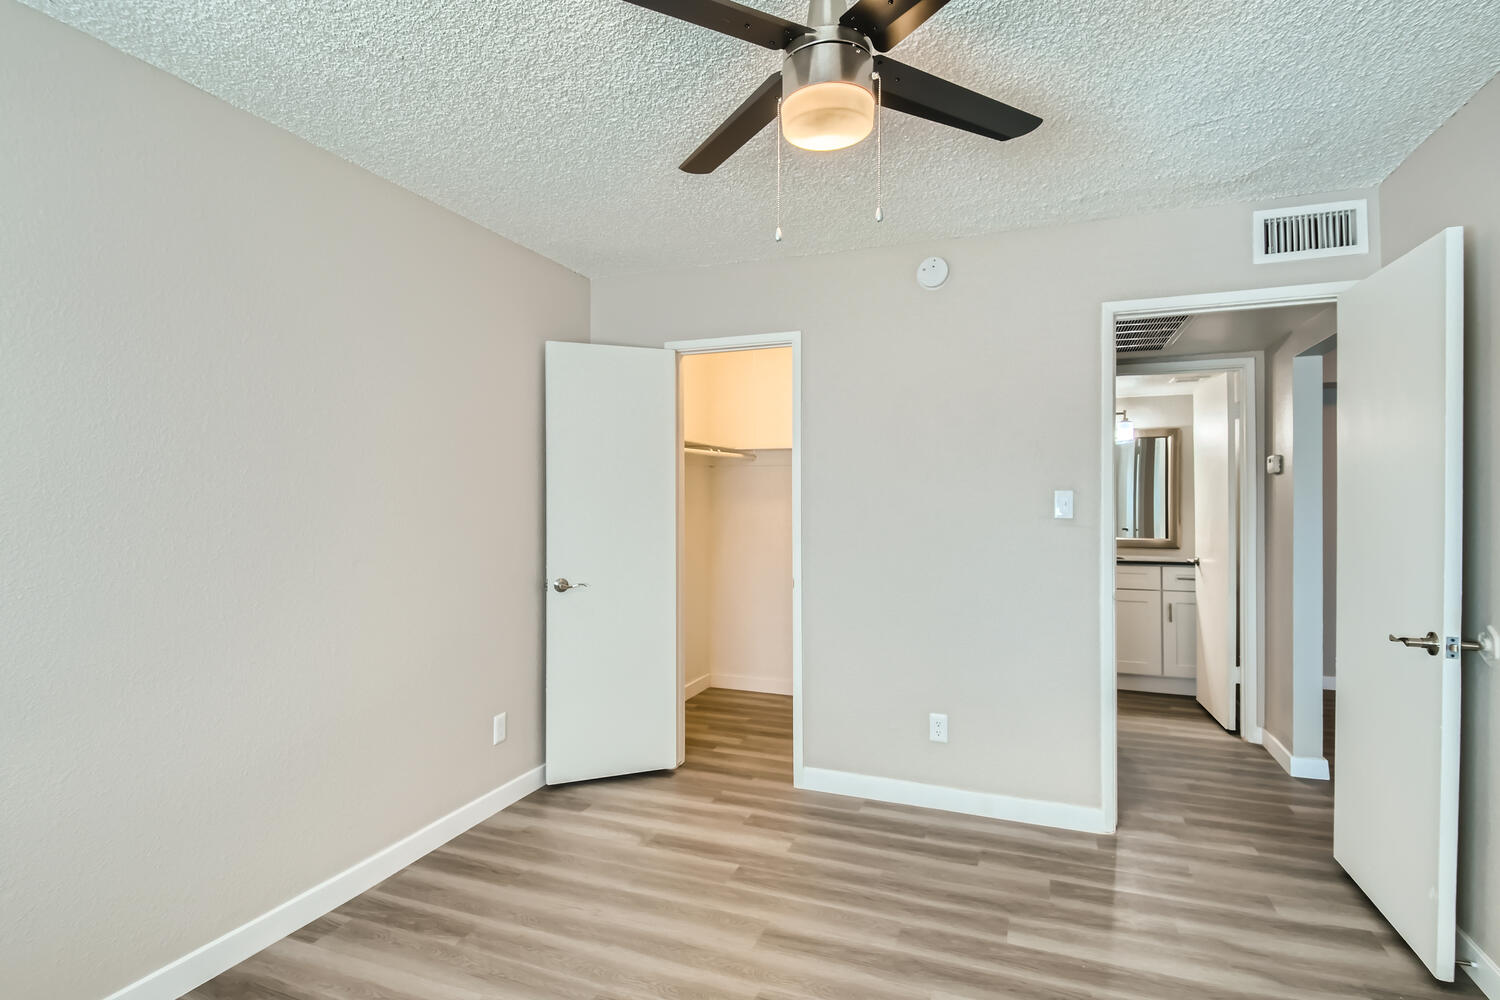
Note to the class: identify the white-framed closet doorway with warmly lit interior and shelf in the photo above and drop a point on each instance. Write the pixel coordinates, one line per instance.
(740, 530)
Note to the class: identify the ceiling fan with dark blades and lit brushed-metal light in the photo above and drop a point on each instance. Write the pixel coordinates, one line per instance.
(826, 86)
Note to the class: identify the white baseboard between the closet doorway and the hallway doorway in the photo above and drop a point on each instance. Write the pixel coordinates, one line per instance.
(935, 797)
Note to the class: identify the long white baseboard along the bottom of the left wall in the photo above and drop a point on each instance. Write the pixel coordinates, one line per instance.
(200, 966)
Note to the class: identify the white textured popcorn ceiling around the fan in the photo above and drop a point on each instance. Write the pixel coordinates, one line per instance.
(560, 125)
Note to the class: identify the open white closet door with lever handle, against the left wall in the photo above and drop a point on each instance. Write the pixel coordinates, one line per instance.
(613, 693)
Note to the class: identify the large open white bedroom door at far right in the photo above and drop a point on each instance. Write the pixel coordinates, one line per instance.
(1400, 525)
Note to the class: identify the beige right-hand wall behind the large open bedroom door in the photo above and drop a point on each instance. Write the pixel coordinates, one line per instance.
(1451, 181)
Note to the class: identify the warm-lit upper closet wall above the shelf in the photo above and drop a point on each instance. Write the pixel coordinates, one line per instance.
(739, 400)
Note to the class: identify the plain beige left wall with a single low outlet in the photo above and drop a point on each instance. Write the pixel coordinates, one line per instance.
(269, 513)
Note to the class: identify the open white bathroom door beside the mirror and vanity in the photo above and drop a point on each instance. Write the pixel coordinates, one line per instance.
(1216, 546)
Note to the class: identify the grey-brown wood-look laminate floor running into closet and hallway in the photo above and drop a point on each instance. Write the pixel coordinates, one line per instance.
(722, 881)
